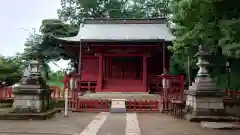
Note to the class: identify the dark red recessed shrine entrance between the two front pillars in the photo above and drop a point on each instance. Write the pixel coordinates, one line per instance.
(123, 74)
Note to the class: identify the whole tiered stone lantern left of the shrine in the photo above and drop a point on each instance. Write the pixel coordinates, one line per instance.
(31, 95)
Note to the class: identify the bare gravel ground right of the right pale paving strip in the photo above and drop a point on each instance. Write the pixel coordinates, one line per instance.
(160, 124)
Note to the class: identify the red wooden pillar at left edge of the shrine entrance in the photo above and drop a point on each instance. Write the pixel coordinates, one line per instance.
(100, 73)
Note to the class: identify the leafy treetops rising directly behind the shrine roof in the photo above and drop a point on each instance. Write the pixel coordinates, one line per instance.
(74, 11)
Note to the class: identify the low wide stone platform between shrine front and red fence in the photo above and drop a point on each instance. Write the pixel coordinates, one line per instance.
(121, 95)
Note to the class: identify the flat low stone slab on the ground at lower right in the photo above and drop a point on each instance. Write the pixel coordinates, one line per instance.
(220, 125)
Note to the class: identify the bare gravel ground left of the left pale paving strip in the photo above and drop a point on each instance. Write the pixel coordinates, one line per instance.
(75, 123)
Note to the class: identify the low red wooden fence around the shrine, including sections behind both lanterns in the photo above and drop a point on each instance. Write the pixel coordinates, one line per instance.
(174, 92)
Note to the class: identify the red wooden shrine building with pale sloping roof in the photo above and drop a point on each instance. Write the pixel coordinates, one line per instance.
(117, 55)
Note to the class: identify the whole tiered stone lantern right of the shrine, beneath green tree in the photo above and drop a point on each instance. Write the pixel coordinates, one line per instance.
(203, 100)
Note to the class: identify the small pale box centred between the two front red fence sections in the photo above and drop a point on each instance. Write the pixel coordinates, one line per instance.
(118, 106)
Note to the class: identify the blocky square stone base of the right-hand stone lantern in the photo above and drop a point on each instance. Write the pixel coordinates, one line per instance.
(201, 106)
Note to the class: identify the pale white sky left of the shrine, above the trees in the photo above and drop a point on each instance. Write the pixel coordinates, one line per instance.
(16, 15)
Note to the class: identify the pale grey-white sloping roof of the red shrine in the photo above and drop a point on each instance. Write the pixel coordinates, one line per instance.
(118, 30)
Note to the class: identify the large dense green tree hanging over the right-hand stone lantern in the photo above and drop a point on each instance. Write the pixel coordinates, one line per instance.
(211, 23)
